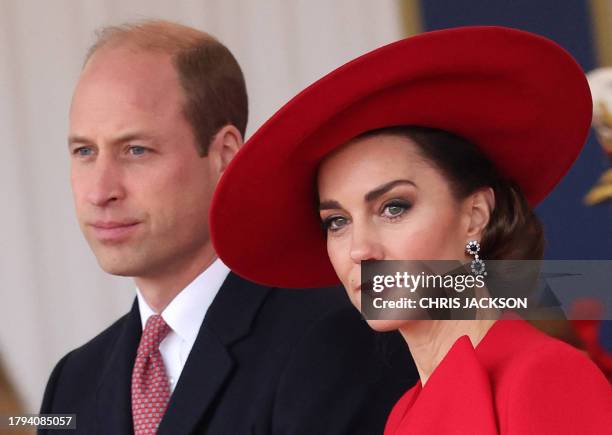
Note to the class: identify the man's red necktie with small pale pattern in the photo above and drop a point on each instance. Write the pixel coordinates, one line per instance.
(150, 389)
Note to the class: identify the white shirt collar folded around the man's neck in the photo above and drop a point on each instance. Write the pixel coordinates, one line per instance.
(185, 313)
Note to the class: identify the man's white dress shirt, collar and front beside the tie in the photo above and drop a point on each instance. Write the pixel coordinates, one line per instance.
(184, 315)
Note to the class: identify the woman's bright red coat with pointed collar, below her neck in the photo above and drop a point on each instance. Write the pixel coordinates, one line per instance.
(518, 380)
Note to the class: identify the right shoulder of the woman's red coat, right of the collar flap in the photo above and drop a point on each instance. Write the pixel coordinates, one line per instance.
(556, 389)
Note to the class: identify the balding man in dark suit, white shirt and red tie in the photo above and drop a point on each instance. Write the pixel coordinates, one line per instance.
(158, 113)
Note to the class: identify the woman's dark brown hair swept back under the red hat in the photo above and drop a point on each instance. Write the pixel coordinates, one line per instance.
(514, 232)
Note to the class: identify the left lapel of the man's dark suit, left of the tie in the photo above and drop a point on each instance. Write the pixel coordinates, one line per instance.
(113, 401)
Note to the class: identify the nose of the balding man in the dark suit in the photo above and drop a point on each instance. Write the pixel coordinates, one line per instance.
(106, 183)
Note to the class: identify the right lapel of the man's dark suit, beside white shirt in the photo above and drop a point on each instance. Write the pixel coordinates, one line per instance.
(210, 362)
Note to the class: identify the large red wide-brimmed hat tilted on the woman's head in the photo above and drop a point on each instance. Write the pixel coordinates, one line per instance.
(520, 97)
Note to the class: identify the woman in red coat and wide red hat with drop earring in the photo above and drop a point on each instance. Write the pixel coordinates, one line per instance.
(413, 151)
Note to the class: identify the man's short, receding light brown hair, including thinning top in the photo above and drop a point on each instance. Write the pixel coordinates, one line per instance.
(211, 79)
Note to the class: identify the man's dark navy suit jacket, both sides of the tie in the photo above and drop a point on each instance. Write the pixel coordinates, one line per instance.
(266, 361)
